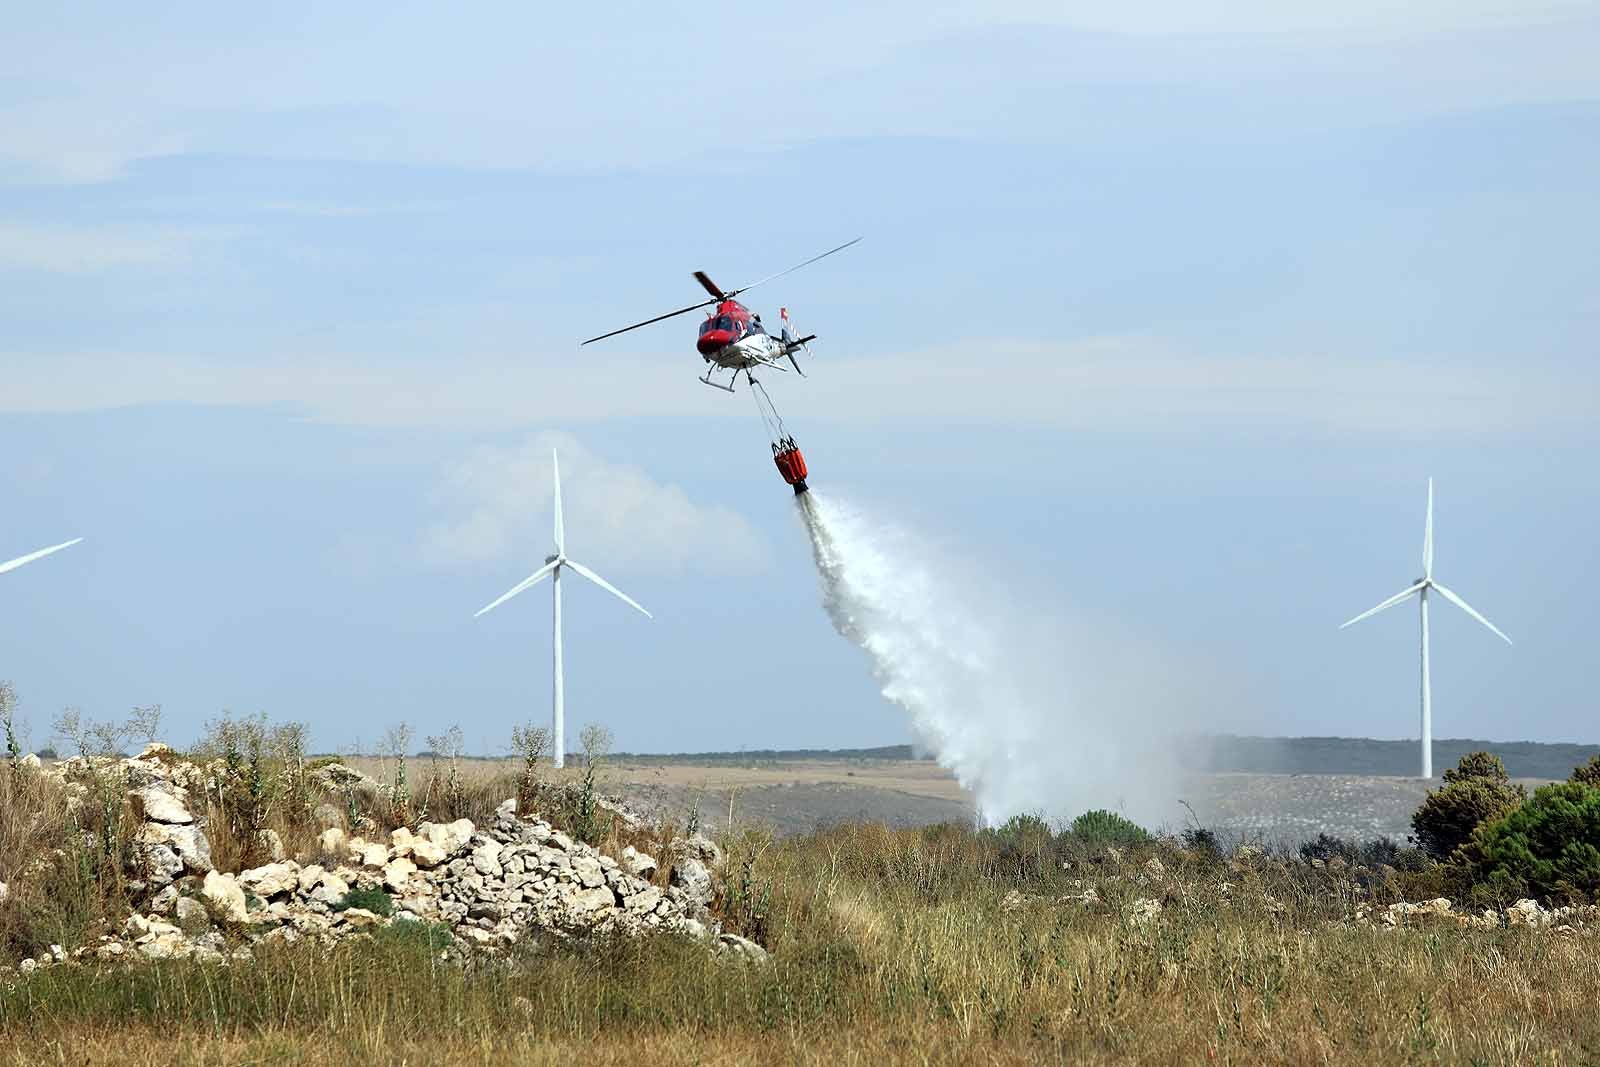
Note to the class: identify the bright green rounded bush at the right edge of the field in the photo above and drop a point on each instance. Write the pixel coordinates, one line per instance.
(1548, 847)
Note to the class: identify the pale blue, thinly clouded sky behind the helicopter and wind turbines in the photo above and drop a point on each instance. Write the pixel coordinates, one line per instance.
(1162, 319)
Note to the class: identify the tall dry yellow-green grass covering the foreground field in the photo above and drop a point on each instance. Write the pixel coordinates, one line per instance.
(887, 946)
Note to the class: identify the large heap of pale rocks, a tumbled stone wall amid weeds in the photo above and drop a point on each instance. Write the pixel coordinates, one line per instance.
(490, 887)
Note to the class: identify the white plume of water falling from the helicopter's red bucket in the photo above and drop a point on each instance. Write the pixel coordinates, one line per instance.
(990, 692)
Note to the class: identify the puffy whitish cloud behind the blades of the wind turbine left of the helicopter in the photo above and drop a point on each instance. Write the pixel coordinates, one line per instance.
(498, 506)
